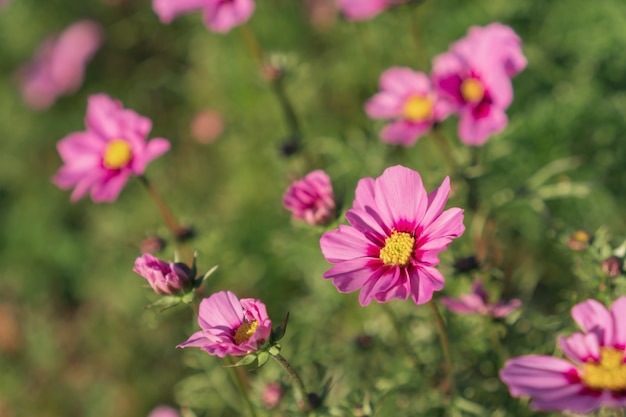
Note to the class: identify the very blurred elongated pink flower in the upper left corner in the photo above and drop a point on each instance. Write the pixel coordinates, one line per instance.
(59, 63)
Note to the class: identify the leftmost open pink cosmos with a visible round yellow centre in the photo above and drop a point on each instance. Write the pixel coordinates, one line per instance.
(102, 158)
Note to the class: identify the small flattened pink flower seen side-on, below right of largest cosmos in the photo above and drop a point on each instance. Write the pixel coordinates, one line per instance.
(478, 303)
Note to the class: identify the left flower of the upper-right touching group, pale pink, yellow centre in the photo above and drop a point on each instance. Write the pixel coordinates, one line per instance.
(406, 97)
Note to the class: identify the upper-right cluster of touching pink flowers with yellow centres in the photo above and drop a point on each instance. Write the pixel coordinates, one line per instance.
(471, 80)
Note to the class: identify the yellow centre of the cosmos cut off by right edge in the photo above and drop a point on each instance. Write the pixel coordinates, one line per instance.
(609, 373)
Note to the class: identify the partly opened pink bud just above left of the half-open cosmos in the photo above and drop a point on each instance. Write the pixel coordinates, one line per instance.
(163, 277)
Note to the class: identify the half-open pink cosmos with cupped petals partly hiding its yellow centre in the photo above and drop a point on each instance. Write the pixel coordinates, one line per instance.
(230, 326)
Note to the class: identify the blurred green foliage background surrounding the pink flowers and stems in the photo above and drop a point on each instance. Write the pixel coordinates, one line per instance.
(75, 339)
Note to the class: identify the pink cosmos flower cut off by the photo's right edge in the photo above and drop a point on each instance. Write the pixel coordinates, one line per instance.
(593, 377)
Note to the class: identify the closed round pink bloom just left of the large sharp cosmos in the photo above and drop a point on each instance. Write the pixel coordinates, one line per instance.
(311, 199)
